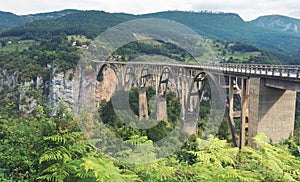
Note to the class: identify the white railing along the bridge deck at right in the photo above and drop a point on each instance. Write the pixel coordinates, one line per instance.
(290, 71)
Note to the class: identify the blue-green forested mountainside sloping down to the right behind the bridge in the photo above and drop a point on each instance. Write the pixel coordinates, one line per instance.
(230, 27)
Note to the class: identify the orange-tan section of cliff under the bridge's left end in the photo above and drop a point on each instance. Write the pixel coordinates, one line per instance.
(105, 89)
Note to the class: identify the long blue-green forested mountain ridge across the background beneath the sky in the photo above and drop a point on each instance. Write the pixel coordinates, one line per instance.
(228, 27)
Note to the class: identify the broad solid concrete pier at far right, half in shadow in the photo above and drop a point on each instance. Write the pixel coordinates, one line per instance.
(271, 111)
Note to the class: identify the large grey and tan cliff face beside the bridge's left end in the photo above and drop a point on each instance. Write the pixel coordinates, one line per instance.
(64, 89)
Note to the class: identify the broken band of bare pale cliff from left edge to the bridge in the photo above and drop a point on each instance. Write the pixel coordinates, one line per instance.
(63, 88)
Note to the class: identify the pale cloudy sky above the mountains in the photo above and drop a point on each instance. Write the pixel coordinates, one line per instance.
(247, 9)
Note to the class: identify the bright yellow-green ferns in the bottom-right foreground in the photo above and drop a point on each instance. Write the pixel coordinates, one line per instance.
(219, 161)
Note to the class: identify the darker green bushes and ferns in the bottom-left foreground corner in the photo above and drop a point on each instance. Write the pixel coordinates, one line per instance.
(41, 147)
